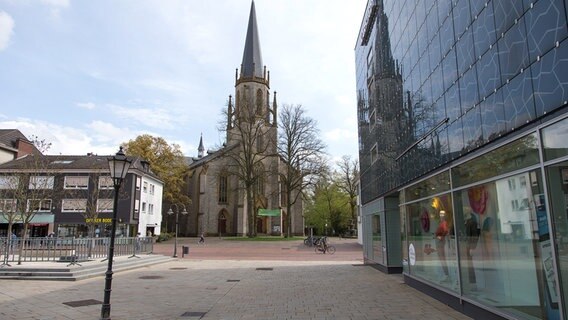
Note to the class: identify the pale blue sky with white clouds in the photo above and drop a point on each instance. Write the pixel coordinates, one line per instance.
(87, 76)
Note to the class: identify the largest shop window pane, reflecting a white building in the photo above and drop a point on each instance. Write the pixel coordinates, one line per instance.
(504, 244)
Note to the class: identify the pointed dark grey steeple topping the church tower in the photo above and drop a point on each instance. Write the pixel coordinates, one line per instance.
(252, 58)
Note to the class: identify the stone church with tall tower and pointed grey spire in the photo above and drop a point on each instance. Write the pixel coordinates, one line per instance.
(221, 204)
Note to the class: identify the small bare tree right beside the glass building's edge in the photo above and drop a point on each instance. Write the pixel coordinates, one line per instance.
(348, 175)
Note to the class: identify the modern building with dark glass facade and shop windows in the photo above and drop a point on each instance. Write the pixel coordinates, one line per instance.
(463, 148)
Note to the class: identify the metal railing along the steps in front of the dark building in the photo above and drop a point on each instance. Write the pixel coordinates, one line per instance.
(70, 249)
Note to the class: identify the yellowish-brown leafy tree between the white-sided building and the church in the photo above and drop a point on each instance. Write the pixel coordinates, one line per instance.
(166, 161)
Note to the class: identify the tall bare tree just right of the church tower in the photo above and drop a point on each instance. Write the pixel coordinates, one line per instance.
(302, 153)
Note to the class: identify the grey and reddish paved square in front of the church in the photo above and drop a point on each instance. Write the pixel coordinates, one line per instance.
(212, 284)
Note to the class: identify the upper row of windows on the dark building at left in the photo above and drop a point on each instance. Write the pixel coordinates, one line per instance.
(47, 182)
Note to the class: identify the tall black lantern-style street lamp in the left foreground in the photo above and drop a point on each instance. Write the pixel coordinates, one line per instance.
(119, 165)
